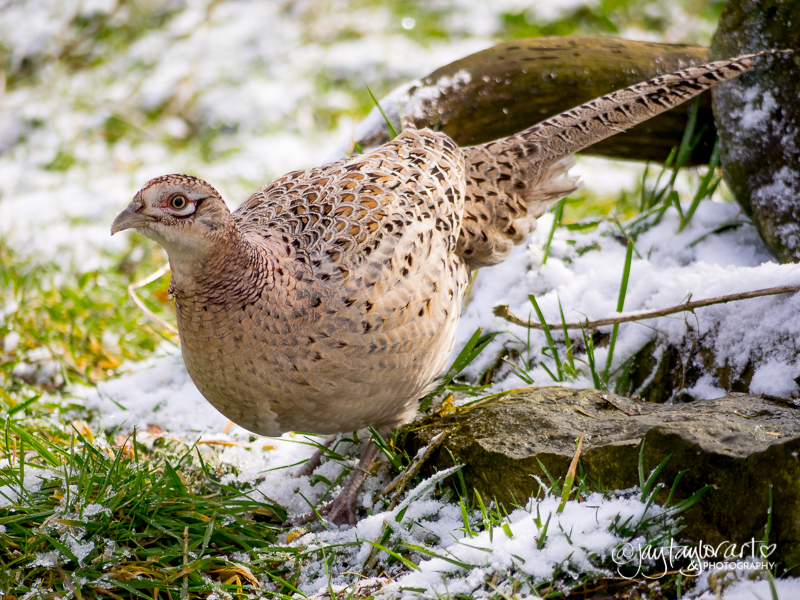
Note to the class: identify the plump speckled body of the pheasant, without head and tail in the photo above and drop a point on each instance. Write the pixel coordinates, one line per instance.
(359, 293)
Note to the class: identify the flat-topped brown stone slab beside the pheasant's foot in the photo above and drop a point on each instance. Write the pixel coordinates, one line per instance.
(740, 445)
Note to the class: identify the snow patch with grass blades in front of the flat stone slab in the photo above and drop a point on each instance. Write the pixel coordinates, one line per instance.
(583, 529)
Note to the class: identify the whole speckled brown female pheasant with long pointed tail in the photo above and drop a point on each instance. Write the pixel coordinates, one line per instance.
(328, 301)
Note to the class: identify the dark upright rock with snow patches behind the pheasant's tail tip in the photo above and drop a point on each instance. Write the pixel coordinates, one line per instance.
(757, 117)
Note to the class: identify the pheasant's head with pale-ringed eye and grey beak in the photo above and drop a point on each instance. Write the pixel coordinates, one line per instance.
(182, 213)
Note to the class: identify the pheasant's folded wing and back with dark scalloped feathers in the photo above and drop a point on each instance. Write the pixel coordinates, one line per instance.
(347, 213)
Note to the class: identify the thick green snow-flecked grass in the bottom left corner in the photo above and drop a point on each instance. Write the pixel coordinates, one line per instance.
(92, 517)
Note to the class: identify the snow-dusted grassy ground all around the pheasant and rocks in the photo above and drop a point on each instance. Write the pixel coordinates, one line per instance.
(119, 480)
